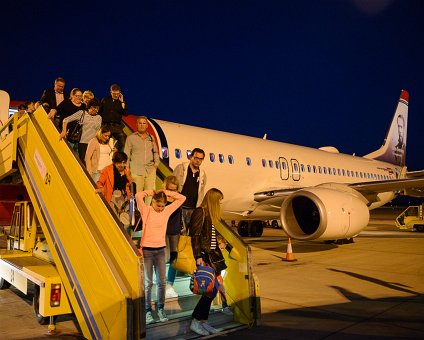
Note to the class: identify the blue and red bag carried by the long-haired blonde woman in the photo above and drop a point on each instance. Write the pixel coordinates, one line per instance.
(204, 282)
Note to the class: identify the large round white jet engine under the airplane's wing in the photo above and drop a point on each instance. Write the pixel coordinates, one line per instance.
(324, 213)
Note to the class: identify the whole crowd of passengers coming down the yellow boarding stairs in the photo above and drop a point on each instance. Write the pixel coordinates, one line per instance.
(115, 161)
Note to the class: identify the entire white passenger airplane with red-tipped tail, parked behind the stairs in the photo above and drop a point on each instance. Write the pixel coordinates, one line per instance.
(318, 194)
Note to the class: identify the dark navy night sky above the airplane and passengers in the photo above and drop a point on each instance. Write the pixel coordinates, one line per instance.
(313, 73)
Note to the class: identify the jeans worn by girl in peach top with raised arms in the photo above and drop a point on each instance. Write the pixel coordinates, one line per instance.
(154, 258)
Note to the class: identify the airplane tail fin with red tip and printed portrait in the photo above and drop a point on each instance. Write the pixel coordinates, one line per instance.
(394, 148)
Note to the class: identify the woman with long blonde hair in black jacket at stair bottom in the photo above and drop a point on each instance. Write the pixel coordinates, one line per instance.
(204, 238)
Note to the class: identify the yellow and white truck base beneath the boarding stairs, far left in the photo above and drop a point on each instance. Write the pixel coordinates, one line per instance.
(27, 259)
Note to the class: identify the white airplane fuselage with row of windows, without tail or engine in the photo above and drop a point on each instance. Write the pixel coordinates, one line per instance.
(241, 166)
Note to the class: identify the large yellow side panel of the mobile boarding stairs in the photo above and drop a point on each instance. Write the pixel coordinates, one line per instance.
(99, 265)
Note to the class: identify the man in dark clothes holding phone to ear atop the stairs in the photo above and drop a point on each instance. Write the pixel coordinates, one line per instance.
(112, 109)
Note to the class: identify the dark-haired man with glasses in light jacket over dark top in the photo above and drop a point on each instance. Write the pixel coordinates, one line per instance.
(192, 182)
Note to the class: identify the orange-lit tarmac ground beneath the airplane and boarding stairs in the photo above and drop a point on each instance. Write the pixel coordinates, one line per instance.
(372, 288)
